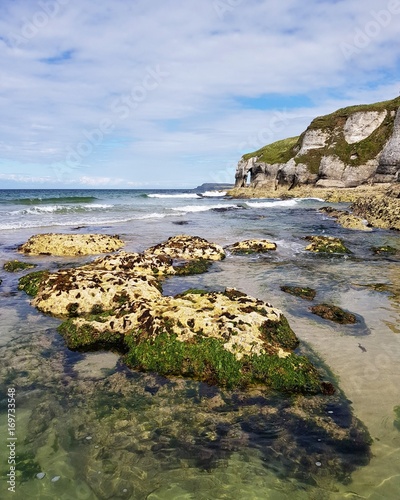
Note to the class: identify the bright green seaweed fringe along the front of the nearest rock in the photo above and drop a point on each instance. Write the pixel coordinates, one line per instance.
(206, 360)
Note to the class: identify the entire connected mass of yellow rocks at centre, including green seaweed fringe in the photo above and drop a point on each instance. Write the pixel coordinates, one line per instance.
(228, 338)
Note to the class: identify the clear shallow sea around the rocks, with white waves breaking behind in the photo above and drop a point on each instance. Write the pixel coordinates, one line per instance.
(87, 427)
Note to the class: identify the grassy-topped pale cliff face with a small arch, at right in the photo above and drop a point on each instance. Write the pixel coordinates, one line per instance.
(352, 146)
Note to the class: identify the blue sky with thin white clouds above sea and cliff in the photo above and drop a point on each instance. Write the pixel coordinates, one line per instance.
(164, 94)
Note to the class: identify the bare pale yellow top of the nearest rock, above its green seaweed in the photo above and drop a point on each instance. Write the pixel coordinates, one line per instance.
(235, 320)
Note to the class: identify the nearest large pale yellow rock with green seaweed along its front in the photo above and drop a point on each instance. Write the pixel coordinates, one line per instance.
(228, 339)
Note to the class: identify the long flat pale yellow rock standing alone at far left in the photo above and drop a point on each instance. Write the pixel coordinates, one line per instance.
(71, 244)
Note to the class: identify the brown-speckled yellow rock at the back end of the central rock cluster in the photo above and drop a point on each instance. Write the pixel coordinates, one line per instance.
(188, 248)
